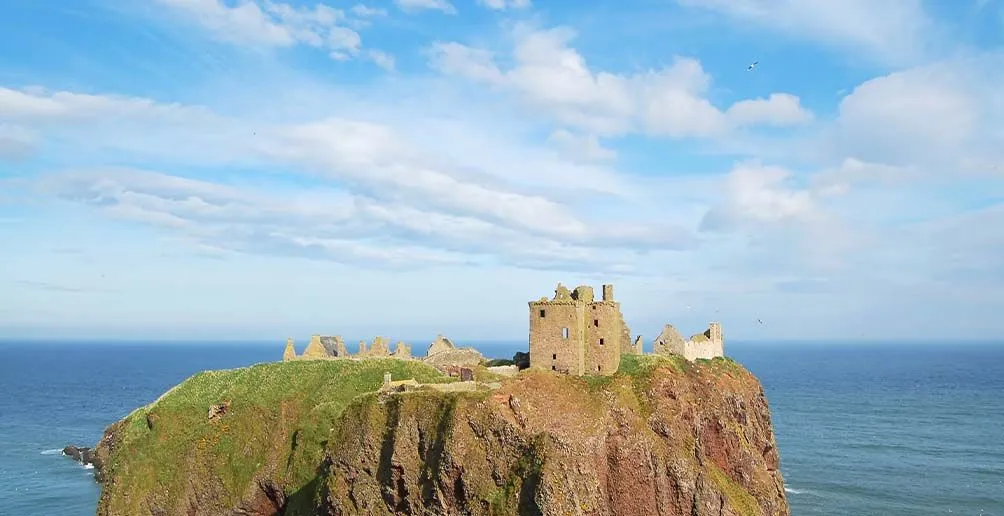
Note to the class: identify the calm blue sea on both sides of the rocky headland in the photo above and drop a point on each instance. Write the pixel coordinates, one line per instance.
(863, 429)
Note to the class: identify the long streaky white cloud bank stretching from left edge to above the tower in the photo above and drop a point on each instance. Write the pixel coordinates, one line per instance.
(430, 198)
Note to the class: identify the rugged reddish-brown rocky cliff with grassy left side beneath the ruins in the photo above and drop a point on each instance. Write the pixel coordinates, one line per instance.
(662, 437)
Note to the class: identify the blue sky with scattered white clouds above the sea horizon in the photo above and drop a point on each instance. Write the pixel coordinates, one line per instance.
(259, 169)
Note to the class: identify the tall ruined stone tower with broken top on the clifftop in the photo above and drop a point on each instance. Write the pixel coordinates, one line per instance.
(578, 335)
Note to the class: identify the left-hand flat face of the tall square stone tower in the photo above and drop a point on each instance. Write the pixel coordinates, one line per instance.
(558, 334)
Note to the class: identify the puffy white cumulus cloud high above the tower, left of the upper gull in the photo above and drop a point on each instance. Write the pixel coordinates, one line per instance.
(552, 77)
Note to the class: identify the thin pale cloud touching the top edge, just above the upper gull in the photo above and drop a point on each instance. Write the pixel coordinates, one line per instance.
(889, 32)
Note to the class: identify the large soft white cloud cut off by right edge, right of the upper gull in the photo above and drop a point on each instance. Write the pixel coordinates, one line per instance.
(943, 115)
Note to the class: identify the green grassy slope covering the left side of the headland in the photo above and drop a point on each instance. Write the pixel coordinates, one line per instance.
(281, 417)
